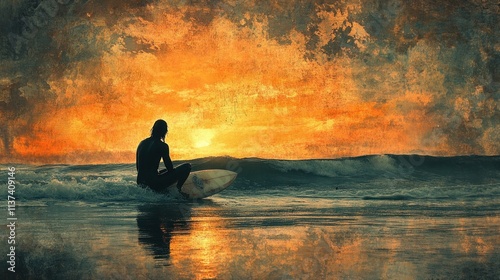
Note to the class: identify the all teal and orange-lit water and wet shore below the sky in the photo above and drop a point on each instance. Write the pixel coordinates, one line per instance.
(370, 217)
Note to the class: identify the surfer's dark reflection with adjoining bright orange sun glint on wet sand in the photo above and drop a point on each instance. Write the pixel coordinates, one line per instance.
(193, 246)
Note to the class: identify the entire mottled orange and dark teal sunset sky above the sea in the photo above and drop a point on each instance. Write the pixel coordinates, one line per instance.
(84, 81)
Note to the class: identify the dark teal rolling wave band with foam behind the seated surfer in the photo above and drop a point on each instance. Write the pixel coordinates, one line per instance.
(383, 177)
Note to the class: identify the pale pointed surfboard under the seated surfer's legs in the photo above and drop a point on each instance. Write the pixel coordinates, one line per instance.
(204, 183)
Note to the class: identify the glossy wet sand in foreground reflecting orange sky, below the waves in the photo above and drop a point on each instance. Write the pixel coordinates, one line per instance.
(286, 238)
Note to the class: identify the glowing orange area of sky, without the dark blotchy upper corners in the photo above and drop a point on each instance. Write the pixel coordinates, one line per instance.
(230, 87)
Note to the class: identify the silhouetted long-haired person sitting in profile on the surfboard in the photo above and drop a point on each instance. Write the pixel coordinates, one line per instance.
(149, 153)
